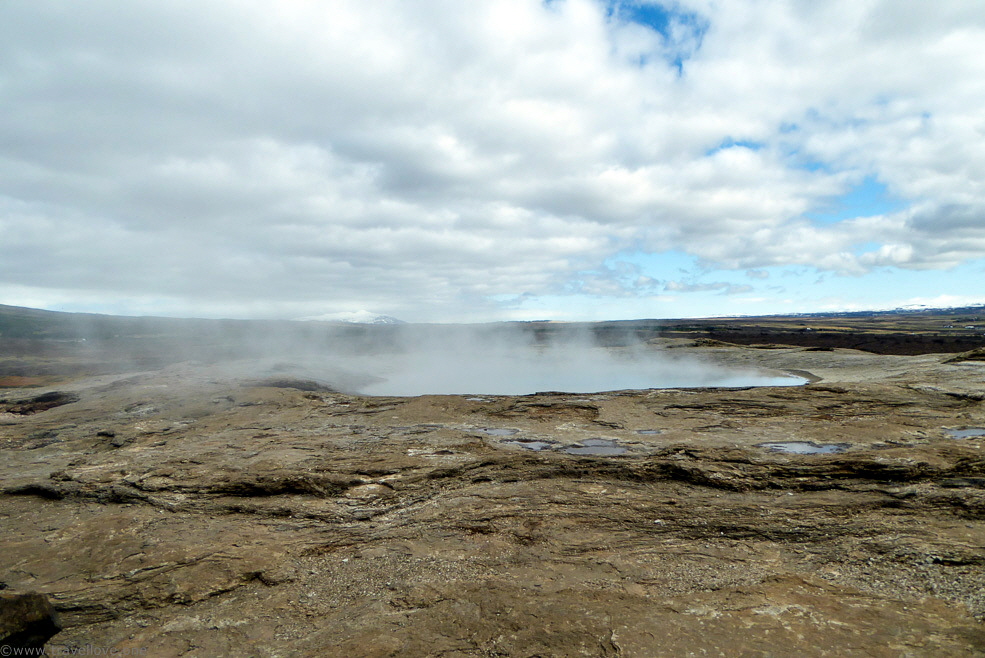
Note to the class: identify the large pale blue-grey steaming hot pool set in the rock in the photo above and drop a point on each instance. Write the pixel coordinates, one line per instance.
(583, 370)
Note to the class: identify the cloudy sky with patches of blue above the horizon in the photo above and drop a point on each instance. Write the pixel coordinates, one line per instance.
(449, 161)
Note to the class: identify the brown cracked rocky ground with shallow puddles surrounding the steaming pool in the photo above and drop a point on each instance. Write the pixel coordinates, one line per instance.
(199, 511)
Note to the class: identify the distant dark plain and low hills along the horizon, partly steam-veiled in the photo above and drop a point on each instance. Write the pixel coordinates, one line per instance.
(146, 339)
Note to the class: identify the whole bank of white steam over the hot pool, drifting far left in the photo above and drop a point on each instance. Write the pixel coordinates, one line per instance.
(403, 360)
